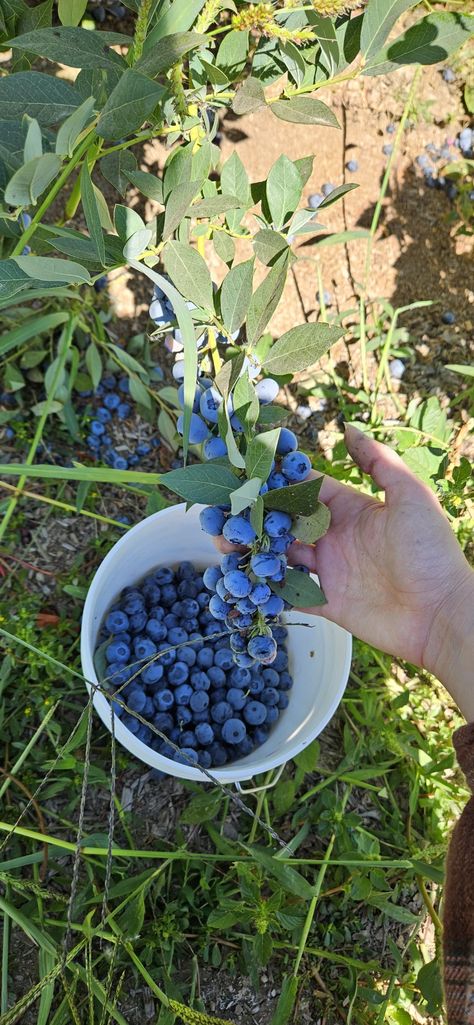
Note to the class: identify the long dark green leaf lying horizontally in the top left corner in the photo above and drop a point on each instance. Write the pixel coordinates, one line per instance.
(75, 48)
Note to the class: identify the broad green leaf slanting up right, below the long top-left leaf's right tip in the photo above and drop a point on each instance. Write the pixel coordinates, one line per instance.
(134, 99)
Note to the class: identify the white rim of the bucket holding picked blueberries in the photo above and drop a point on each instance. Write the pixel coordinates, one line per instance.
(240, 771)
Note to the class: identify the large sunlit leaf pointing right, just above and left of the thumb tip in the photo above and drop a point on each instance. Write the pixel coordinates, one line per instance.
(301, 348)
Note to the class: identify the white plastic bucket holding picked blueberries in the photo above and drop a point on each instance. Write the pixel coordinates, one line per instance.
(320, 652)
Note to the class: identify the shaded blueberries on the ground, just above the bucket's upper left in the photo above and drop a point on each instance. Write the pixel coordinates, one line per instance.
(113, 394)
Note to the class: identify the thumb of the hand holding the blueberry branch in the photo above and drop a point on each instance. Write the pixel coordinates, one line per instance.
(381, 463)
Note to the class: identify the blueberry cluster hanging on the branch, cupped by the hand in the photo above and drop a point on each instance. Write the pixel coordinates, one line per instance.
(246, 588)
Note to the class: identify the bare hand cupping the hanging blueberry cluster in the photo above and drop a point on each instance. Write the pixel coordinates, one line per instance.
(392, 572)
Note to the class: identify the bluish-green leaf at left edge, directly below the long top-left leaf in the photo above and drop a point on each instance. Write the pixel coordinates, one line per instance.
(43, 97)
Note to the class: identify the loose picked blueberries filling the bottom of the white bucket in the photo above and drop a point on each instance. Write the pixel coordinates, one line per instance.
(172, 665)
